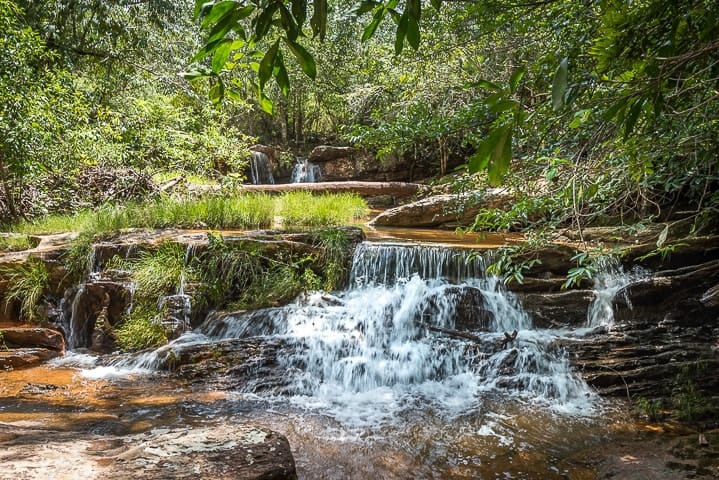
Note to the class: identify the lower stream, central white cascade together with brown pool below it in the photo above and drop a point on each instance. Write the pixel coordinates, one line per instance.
(364, 383)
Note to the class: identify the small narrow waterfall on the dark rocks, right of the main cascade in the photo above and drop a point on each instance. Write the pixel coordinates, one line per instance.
(610, 281)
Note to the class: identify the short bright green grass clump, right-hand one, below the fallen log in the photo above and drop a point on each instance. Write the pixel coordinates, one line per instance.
(308, 210)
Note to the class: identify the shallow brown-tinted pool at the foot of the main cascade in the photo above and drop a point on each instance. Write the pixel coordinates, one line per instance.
(501, 439)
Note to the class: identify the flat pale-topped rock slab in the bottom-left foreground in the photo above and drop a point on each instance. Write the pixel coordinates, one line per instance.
(244, 451)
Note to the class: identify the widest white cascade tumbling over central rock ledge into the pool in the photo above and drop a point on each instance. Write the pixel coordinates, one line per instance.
(386, 344)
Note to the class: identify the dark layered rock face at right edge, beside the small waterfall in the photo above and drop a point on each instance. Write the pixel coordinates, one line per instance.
(662, 329)
